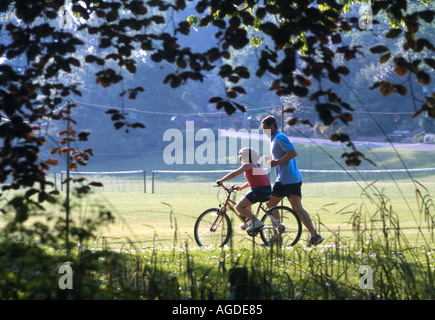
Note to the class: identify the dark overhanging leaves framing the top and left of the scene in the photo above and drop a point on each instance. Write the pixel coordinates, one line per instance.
(305, 37)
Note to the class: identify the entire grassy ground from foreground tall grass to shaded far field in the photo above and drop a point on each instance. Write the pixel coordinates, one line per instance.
(378, 222)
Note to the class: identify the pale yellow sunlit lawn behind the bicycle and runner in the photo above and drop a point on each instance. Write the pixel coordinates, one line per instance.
(160, 219)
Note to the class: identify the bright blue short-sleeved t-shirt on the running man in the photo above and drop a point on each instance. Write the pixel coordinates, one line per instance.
(287, 172)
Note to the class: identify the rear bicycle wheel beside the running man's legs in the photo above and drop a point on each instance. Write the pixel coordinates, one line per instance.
(289, 219)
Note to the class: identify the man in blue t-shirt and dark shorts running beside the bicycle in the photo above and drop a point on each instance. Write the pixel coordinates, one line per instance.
(288, 177)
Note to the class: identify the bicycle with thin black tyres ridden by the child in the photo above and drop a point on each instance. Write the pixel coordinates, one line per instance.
(282, 224)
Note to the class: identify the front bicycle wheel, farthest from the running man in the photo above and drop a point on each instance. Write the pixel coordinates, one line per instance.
(212, 229)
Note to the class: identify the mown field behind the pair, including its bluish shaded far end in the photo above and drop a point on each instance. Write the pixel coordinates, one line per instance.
(334, 201)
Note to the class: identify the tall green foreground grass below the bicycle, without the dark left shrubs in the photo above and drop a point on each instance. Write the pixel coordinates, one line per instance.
(401, 270)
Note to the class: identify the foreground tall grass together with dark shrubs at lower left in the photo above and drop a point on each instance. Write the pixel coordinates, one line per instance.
(402, 268)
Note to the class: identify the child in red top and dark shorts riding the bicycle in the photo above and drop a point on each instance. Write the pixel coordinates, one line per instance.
(256, 179)
